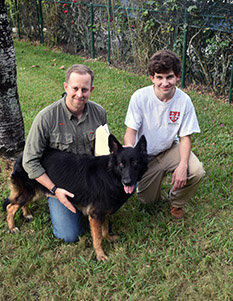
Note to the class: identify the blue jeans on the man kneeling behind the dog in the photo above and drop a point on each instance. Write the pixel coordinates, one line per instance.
(66, 224)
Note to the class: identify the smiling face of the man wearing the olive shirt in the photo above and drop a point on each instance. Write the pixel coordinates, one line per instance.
(78, 90)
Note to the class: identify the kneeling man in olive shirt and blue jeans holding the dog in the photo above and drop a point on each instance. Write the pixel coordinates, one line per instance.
(68, 124)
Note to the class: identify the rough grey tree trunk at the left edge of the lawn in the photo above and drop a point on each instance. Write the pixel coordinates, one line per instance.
(11, 120)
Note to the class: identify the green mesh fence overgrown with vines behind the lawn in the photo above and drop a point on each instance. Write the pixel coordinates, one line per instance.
(128, 32)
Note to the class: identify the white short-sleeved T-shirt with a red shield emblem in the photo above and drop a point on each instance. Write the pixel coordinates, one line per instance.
(161, 122)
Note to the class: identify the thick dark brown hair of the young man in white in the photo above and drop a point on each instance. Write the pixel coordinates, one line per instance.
(164, 61)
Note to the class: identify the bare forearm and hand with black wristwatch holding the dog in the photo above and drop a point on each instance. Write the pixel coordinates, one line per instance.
(60, 194)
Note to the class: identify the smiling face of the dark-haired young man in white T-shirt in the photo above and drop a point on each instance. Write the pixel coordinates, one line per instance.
(164, 84)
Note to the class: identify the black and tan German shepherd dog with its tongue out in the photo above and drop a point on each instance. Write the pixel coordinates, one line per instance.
(101, 185)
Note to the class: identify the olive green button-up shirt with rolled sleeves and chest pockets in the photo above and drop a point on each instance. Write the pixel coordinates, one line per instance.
(56, 127)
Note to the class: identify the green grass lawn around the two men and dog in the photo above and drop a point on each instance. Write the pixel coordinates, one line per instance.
(156, 257)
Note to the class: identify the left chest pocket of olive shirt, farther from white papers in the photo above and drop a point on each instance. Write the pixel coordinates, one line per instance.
(63, 142)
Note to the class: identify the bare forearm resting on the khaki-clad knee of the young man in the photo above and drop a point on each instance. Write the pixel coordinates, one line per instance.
(179, 177)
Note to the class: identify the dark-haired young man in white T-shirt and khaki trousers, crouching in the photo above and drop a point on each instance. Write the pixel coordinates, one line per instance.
(167, 118)
